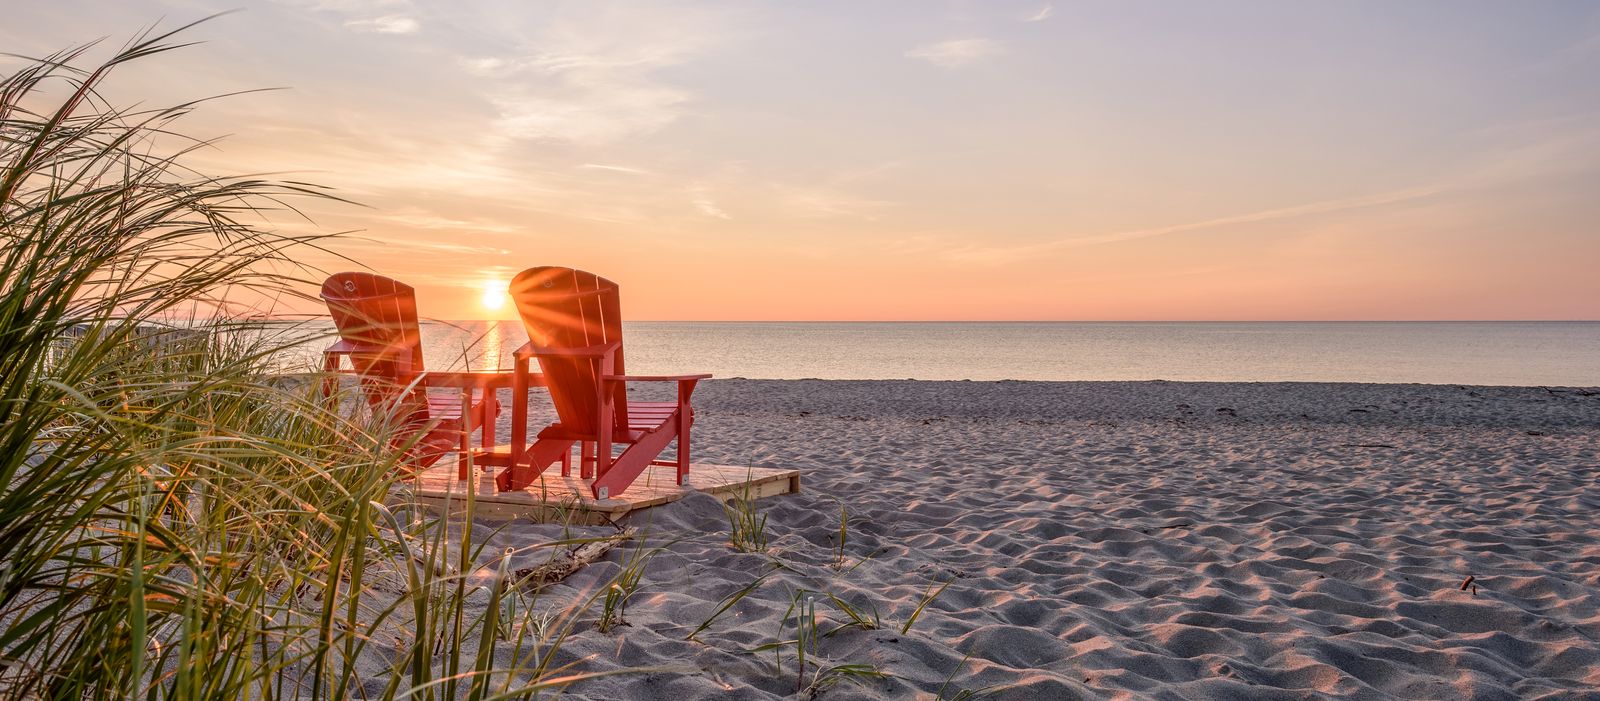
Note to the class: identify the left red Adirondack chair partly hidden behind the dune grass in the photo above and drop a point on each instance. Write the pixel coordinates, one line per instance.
(380, 335)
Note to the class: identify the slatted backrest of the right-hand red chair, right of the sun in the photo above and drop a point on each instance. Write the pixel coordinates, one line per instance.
(562, 308)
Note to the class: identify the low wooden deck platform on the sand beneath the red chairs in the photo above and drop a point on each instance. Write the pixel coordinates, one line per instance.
(556, 497)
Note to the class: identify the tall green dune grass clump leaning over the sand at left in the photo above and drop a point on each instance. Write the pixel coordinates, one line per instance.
(177, 521)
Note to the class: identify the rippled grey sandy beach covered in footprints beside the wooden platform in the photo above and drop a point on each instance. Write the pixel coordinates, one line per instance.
(1132, 540)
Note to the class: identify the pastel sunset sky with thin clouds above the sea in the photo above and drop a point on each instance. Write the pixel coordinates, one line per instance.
(913, 161)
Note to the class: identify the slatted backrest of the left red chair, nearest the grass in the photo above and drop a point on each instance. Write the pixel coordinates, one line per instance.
(378, 318)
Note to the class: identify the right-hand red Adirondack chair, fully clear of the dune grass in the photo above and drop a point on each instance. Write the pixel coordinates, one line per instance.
(575, 330)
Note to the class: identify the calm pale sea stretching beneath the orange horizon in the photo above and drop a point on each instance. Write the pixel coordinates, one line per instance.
(1439, 353)
